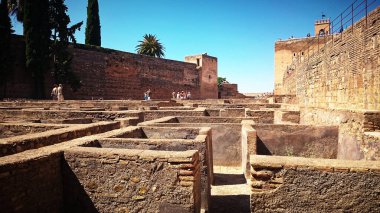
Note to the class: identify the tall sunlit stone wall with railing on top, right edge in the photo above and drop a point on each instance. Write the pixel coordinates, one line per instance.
(345, 73)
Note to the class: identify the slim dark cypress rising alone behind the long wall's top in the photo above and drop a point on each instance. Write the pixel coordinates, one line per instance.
(93, 36)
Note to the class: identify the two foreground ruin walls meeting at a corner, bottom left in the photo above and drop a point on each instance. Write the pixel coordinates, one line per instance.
(84, 179)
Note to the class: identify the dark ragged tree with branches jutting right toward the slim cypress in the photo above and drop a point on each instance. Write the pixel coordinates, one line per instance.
(62, 72)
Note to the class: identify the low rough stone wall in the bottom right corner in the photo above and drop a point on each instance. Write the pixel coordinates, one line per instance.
(294, 184)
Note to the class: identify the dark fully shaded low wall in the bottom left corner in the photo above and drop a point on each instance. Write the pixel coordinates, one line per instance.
(33, 185)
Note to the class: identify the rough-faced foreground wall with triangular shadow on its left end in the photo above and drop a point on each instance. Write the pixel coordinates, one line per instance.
(114, 180)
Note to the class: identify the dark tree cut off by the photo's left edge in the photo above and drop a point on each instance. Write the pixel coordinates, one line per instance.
(5, 39)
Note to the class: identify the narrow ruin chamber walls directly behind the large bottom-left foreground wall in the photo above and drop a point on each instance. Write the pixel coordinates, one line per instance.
(167, 139)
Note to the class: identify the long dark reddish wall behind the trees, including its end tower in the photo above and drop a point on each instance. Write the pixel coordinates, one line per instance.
(111, 74)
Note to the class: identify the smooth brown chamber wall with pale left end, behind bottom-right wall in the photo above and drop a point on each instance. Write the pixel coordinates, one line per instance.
(291, 140)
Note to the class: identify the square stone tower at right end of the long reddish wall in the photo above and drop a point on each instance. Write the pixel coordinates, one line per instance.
(208, 68)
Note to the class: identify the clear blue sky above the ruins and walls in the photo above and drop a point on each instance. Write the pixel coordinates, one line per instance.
(240, 33)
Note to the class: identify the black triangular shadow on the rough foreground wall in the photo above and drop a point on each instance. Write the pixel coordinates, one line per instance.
(75, 198)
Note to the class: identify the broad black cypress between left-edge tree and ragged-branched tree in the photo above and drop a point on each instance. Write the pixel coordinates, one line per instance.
(37, 38)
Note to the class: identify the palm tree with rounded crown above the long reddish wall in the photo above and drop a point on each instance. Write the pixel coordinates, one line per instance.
(150, 46)
